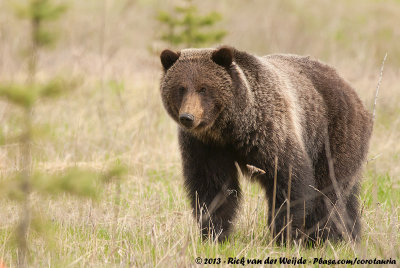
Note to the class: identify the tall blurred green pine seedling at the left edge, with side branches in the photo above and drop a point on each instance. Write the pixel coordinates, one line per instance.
(24, 96)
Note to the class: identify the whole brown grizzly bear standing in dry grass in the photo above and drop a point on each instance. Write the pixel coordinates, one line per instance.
(291, 118)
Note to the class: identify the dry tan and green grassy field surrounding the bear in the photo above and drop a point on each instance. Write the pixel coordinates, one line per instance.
(116, 115)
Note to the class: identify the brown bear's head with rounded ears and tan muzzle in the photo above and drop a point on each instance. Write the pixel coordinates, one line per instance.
(198, 84)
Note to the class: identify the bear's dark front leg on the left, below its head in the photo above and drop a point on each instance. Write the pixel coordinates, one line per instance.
(211, 180)
